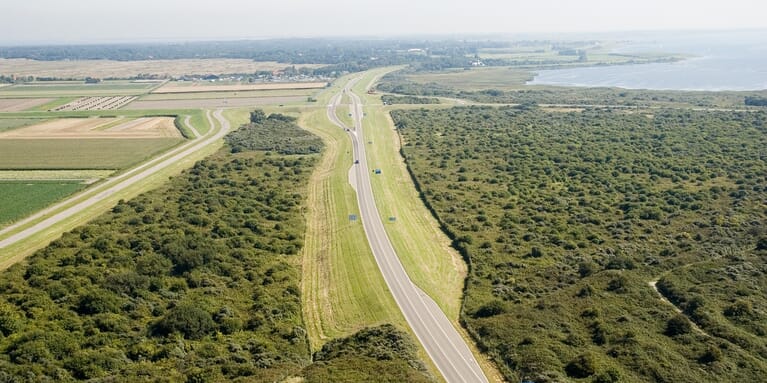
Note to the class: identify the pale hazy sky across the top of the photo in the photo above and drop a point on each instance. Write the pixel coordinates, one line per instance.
(74, 21)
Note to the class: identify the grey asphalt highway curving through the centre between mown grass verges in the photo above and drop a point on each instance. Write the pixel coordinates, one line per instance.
(436, 333)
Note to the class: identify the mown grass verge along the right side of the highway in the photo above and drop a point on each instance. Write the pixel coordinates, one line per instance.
(420, 244)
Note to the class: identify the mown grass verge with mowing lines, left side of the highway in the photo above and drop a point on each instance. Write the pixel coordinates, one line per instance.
(342, 287)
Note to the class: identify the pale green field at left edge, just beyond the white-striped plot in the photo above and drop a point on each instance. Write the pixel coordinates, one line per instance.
(75, 88)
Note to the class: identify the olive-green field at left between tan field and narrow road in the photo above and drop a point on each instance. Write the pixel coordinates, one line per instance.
(80, 153)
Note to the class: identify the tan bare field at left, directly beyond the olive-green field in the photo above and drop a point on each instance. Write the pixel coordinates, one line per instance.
(149, 127)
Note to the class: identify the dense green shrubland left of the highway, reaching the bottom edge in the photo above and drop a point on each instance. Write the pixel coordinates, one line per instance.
(196, 281)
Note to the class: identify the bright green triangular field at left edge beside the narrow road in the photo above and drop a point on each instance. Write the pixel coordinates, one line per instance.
(20, 198)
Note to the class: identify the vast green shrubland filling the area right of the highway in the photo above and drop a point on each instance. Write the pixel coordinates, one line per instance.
(564, 217)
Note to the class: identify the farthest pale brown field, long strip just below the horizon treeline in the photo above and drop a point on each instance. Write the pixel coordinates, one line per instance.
(125, 69)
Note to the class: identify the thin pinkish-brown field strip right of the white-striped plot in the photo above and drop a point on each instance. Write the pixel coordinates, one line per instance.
(211, 103)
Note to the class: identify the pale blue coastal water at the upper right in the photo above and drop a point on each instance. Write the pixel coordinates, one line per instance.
(721, 61)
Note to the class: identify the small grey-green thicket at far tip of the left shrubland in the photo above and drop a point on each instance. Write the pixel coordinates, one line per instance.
(276, 132)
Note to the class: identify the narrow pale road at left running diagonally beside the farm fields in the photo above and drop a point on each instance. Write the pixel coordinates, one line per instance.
(130, 178)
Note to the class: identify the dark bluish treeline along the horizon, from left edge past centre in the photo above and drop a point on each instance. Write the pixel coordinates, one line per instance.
(339, 55)
